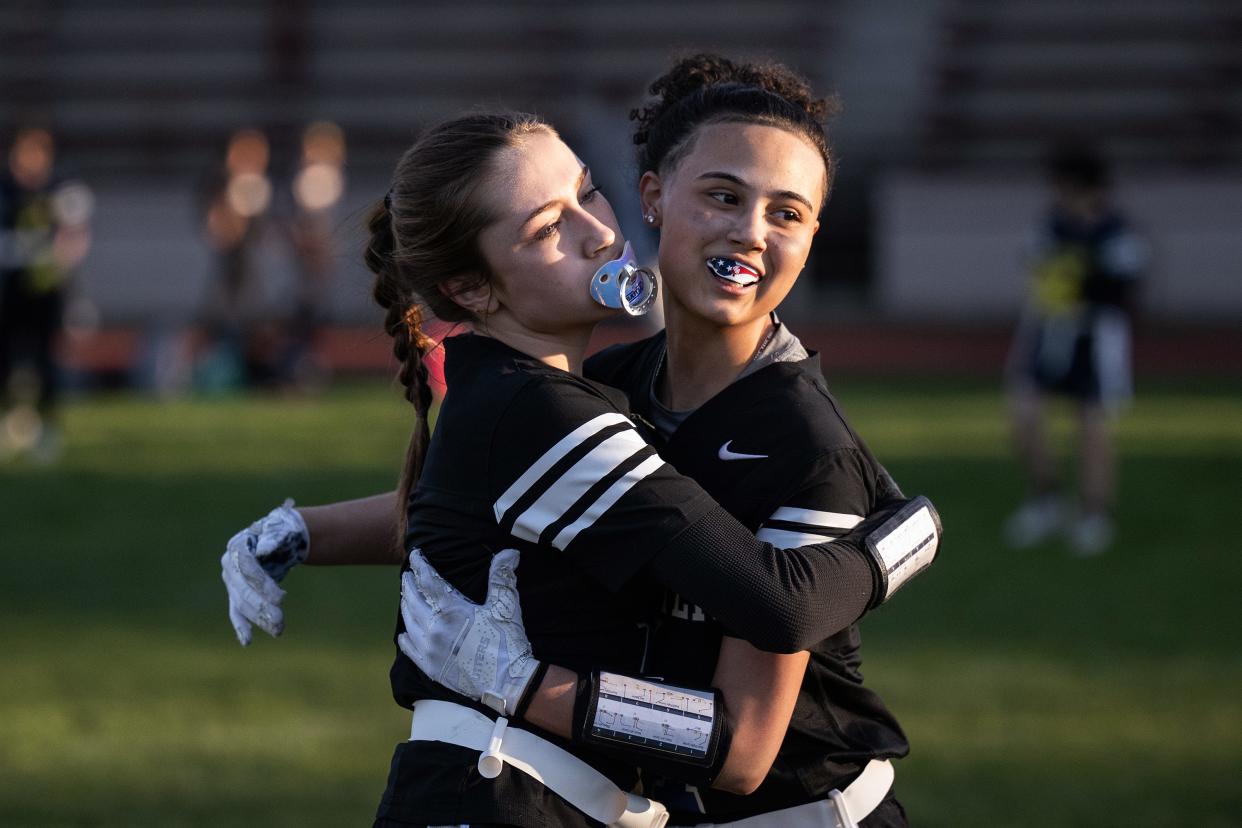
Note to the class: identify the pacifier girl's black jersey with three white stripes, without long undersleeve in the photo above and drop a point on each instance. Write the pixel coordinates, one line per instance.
(517, 448)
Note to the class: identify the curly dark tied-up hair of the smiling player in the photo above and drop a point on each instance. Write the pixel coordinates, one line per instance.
(709, 89)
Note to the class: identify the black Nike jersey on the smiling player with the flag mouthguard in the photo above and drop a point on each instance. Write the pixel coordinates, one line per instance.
(774, 450)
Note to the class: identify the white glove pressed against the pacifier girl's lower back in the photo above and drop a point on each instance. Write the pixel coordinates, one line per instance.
(479, 651)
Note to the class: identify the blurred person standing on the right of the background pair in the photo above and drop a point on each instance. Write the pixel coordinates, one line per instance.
(317, 188)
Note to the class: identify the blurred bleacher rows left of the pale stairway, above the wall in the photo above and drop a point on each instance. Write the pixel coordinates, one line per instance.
(153, 88)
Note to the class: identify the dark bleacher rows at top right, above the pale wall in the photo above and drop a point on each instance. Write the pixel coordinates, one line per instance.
(1149, 81)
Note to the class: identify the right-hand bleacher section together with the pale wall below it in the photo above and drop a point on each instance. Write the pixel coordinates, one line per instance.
(1152, 84)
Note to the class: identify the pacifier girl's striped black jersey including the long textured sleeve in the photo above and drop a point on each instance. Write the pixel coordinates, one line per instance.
(532, 457)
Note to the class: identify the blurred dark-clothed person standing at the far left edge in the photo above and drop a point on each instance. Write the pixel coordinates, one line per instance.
(44, 236)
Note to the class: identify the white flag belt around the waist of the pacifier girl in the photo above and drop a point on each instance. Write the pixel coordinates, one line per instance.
(561, 772)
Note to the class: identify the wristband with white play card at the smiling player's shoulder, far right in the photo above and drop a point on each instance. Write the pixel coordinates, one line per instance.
(902, 546)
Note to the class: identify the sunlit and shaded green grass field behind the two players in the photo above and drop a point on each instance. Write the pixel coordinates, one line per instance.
(1038, 690)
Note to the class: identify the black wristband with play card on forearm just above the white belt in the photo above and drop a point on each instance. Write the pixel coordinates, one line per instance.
(682, 733)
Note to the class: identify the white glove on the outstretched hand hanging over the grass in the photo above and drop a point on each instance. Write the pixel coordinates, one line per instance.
(254, 562)
